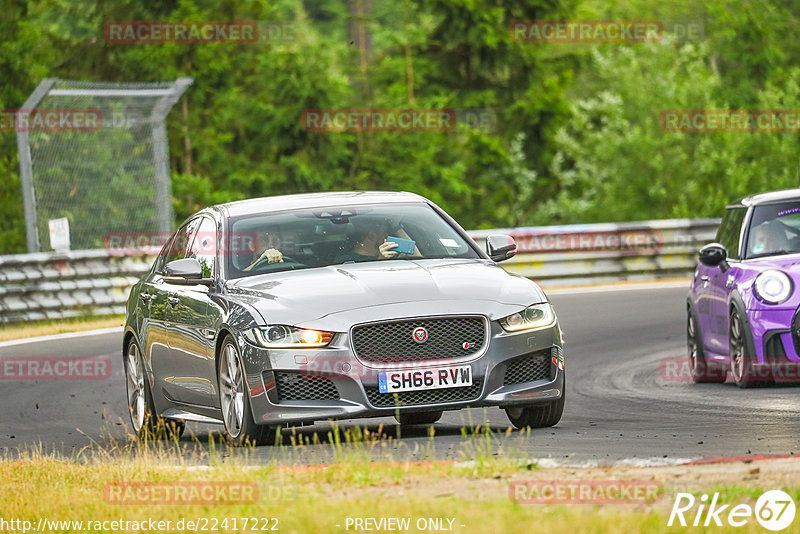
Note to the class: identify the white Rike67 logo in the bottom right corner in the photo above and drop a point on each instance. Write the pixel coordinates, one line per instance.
(774, 510)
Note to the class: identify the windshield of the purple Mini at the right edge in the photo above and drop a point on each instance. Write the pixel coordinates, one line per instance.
(774, 230)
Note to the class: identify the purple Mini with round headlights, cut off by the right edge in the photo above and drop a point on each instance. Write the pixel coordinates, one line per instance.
(743, 312)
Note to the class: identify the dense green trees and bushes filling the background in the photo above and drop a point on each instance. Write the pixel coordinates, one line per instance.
(576, 139)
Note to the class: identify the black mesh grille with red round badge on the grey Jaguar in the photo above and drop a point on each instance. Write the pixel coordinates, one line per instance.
(448, 337)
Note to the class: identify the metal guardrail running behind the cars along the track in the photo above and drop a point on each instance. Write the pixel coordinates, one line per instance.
(56, 285)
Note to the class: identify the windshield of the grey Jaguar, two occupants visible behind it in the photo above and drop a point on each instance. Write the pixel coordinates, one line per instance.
(303, 239)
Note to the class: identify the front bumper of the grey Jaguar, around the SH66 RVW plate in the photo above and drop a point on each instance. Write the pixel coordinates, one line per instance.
(347, 388)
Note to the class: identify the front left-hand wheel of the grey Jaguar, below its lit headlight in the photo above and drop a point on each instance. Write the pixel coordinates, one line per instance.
(237, 413)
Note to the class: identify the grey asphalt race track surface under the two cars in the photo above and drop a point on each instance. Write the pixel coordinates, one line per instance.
(621, 406)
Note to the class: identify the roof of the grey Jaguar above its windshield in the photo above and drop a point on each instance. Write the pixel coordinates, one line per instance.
(315, 200)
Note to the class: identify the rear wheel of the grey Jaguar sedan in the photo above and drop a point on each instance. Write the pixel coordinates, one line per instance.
(146, 424)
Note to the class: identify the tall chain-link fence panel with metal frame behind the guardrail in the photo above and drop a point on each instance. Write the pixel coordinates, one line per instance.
(96, 153)
